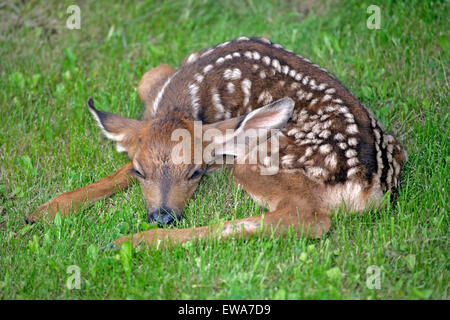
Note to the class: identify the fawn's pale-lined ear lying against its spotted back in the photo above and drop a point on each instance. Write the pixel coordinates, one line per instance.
(249, 130)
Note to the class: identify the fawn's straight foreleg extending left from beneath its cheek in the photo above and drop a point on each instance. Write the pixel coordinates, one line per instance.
(75, 199)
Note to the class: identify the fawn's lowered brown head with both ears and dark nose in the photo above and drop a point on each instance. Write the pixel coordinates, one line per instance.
(168, 183)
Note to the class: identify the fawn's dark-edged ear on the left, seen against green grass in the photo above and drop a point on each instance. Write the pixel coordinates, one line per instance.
(115, 127)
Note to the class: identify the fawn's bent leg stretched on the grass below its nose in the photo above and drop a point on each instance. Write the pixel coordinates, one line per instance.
(290, 198)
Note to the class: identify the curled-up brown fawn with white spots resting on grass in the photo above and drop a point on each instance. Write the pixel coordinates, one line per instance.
(332, 151)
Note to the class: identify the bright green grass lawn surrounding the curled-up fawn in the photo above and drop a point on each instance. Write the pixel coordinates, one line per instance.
(50, 144)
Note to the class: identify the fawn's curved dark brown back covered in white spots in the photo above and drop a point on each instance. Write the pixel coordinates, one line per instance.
(333, 138)
